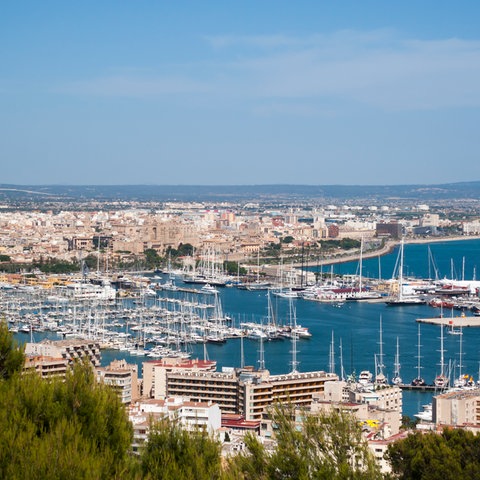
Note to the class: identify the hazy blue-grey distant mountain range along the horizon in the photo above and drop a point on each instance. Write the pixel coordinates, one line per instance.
(240, 193)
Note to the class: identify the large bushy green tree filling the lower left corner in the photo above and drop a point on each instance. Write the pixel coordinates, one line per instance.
(62, 429)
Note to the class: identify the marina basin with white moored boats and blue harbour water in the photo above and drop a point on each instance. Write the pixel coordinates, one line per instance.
(237, 326)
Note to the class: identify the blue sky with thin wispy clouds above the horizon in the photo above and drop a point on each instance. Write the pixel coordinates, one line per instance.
(250, 92)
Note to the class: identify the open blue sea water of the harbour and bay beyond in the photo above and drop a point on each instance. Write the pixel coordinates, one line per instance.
(358, 331)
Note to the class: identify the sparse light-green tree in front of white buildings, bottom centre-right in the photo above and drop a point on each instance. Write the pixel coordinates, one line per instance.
(322, 446)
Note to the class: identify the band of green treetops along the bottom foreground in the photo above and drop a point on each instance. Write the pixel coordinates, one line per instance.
(76, 428)
